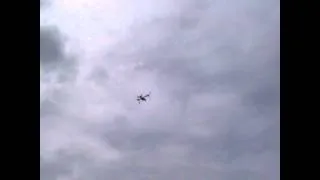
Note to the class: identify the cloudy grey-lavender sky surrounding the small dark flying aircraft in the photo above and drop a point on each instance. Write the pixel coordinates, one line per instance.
(213, 70)
